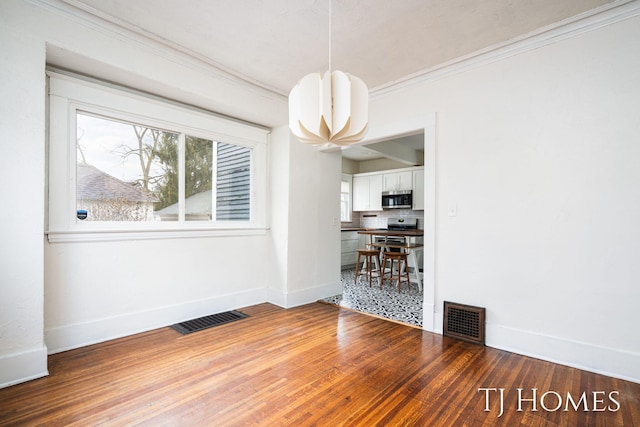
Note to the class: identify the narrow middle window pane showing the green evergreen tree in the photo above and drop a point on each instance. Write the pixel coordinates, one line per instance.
(198, 178)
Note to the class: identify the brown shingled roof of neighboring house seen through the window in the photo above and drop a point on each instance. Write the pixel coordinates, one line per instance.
(94, 184)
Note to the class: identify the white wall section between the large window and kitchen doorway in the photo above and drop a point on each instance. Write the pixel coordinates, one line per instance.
(307, 235)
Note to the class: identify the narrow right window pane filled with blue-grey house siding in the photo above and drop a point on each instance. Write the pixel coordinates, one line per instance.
(233, 183)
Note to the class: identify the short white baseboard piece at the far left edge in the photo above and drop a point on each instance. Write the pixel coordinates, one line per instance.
(20, 367)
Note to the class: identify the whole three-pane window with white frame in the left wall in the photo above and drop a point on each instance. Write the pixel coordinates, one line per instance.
(130, 163)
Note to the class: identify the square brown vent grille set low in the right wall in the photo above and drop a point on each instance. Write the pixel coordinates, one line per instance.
(464, 322)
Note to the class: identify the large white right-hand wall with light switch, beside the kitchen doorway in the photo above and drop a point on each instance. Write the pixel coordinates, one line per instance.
(540, 153)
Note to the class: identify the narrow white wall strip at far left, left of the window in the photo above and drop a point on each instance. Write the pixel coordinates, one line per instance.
(22, 160)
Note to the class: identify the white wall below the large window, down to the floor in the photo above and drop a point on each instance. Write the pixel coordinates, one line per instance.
(96, 291)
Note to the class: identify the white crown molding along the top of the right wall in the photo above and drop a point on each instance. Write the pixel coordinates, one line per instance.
(582, 23)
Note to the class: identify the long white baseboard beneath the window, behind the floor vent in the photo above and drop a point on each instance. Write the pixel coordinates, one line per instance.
(77, 335)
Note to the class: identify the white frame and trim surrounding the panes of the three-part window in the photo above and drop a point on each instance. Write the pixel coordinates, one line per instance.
(69, 93)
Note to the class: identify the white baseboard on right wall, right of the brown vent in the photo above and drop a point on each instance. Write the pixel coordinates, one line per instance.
(589, 357)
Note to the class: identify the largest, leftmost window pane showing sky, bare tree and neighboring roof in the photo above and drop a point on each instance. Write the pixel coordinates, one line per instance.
(125, 172)
